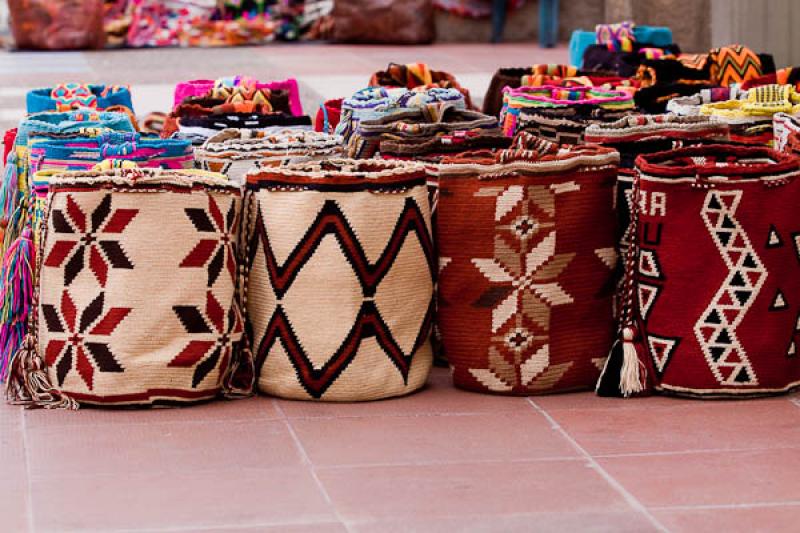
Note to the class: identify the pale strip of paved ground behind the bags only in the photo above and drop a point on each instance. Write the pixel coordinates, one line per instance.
(323, 71)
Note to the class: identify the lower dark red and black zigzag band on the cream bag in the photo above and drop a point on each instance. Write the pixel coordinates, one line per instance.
(368, 323)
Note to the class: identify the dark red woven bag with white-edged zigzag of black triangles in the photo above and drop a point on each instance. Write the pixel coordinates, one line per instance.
(712, 290)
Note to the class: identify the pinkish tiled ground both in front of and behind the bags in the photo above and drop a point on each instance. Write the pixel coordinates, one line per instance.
(440, 460)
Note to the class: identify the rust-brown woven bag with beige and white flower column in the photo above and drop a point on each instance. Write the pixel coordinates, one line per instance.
(527, 259)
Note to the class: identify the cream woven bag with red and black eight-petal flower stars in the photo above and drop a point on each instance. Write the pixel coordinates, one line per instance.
(134, 300)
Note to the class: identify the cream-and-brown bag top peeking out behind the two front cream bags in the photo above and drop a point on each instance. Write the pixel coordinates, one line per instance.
(235, 151)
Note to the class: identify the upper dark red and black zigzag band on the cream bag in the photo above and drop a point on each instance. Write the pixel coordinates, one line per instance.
(331, 221)
